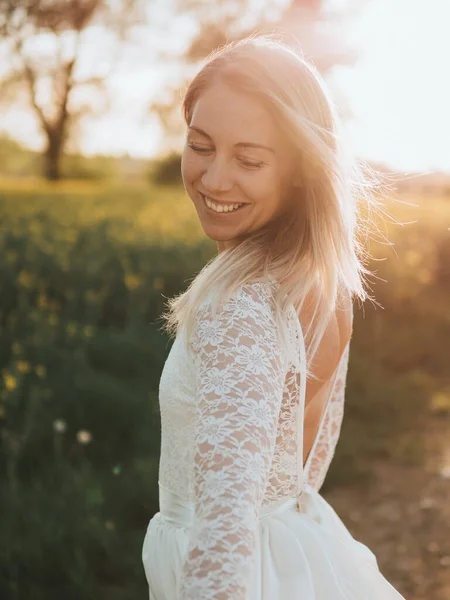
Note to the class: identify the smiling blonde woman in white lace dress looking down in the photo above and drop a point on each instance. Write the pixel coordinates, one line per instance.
(252, 391)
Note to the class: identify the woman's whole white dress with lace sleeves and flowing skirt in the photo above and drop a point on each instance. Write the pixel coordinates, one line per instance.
(240, 518)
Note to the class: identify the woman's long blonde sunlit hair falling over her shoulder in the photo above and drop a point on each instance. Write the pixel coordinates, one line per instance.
(319, 249)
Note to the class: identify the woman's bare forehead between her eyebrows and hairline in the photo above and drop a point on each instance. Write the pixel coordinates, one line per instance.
(228, 114)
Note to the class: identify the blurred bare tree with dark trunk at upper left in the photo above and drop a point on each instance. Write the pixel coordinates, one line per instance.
(42, 40)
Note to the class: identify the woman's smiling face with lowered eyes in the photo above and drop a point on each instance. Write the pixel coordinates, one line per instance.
(235, 154)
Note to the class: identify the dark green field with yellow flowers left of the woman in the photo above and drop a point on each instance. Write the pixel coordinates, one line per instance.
(81, 352)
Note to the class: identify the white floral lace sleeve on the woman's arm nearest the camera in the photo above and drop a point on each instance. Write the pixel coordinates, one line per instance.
(240, 372)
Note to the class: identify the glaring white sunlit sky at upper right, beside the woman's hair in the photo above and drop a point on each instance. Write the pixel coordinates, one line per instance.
(399, 90)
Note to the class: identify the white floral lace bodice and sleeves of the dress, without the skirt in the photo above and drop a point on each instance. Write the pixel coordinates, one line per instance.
(232, 434)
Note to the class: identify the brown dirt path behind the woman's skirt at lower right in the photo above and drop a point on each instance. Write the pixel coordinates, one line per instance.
(405, 518)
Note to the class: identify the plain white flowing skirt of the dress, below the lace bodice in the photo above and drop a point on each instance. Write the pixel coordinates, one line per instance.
(303, 552)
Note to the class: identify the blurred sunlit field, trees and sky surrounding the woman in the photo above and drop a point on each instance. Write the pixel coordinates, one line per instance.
(96, 231)
